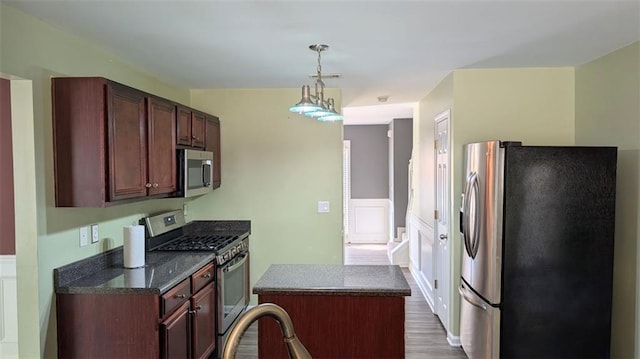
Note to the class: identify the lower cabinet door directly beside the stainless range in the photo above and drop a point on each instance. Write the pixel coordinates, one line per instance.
(204, 331)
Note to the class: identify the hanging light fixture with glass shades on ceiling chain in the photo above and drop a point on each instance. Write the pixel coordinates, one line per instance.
(315, 105)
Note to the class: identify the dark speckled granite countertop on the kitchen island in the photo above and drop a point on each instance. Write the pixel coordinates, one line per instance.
(328, 279)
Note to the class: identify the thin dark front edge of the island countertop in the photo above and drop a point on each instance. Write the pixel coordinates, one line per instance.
(334, 292)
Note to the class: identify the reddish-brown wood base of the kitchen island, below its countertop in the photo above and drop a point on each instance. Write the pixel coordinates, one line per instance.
(336, 326)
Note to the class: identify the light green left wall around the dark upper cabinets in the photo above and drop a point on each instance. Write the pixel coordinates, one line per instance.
(35, 51)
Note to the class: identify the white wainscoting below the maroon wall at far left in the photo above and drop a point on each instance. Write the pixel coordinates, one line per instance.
(8, 308)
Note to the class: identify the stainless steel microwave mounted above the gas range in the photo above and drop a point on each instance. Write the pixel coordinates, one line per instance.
(195, 170)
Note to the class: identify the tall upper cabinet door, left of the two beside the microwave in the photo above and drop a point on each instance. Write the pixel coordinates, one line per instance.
(126, 127)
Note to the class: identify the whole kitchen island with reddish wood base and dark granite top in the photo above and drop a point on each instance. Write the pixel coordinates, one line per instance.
(338, 311)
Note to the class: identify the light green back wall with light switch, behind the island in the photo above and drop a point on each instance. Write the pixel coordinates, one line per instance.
(276, 166)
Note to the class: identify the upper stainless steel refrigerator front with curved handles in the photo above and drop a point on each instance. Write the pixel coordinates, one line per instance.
(481, 218)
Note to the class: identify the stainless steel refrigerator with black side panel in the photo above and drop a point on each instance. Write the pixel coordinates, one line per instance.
(537, 225)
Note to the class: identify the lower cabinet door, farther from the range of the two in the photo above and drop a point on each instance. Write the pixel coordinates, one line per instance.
(174, 333)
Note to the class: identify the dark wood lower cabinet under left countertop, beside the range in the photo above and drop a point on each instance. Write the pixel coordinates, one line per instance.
(176, 324)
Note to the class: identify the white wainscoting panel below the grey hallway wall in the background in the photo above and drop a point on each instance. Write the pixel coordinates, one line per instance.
(369, 220)
